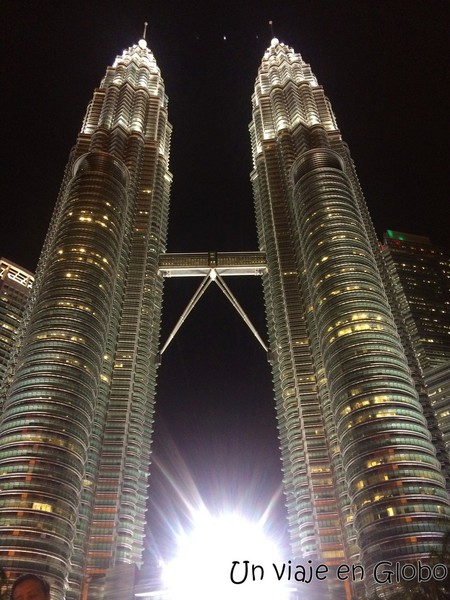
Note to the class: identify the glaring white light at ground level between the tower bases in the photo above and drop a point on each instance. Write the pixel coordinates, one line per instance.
(202, 568)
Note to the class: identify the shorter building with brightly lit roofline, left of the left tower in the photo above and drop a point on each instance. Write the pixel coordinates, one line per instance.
(15, 288)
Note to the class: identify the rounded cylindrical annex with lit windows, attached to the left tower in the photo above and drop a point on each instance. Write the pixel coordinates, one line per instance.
(48, 413)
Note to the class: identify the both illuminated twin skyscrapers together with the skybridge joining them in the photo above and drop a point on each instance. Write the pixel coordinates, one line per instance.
(361, 479)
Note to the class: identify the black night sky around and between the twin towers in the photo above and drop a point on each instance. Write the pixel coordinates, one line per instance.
(384, 65)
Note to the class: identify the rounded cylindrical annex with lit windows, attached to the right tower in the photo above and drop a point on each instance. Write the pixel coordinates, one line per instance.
(394, 480)
